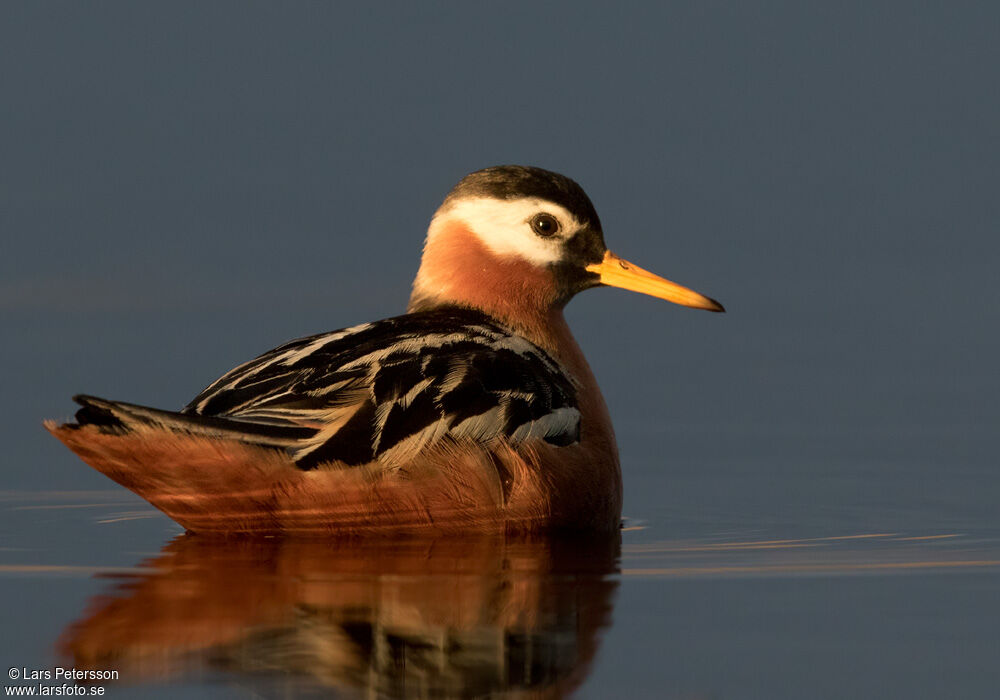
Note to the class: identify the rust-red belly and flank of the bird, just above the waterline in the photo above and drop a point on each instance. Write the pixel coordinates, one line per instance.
(226, 487)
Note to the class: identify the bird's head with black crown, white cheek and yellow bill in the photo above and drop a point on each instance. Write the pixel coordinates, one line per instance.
(515, 240)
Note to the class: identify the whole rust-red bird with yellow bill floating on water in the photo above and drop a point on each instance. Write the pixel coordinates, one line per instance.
(474, 411)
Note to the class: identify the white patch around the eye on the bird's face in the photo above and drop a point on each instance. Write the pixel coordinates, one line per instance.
(504, 226)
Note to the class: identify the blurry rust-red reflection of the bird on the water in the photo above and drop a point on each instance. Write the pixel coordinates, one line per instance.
(454, 617)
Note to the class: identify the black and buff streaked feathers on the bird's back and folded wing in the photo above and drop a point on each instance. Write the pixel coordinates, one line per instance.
(384, 391)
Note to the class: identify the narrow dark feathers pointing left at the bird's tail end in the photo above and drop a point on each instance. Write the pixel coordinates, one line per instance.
(121, 417)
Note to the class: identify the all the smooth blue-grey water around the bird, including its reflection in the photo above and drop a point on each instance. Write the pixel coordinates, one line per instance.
(811, 479)
